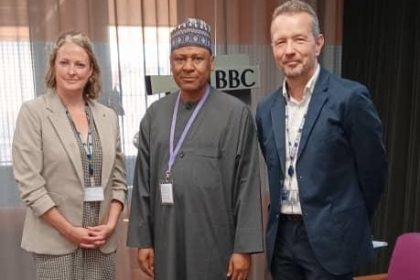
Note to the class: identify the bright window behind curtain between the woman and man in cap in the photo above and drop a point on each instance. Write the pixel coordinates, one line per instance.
(136, 52)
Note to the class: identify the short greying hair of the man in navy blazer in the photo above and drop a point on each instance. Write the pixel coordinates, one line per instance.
(297, 6)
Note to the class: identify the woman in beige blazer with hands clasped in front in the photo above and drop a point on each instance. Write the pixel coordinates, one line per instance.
(69, 167)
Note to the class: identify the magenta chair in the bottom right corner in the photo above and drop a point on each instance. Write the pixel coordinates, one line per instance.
(405, 260)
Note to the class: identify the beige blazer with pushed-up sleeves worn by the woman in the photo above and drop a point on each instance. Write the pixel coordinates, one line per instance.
(48, 169)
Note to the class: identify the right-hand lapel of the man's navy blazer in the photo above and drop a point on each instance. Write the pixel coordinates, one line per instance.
(318, 99)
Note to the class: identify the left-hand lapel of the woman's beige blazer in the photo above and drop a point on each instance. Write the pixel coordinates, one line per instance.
(64, 131)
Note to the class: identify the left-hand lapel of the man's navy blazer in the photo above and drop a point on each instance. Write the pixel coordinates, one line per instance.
(277, 120)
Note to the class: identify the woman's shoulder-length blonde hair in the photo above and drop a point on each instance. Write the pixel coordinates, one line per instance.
(92, 87)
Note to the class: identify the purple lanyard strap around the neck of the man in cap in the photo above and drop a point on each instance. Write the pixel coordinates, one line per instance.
(173, 153)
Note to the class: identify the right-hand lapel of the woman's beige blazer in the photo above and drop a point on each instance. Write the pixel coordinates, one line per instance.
(103, 125)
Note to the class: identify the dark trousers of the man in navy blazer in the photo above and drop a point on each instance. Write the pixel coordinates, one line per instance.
(293, 256)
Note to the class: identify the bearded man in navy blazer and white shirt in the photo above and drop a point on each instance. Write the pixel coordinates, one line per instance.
(321, 138)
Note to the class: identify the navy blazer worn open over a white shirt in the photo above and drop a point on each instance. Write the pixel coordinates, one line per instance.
(340, 169)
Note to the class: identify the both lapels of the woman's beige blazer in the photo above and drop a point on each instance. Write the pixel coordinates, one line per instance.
(104, 123)
